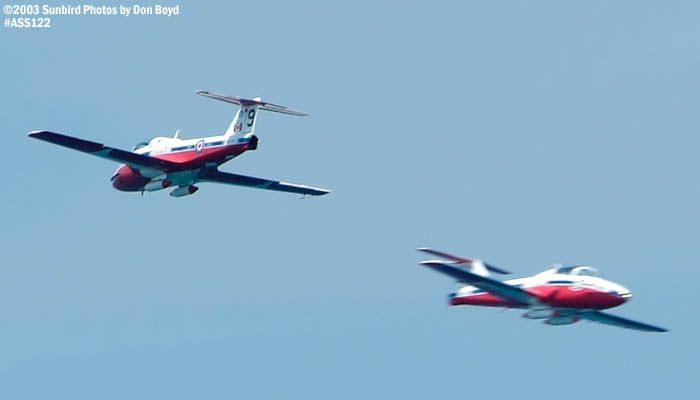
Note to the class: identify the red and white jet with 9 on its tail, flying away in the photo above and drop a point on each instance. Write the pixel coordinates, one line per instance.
(165, 162)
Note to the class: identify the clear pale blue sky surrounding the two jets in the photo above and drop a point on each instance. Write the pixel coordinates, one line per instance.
(523, 133)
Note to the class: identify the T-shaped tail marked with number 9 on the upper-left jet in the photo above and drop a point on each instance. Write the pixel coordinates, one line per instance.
(243, 123)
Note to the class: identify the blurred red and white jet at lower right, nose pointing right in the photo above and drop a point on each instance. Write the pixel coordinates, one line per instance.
(559, 296)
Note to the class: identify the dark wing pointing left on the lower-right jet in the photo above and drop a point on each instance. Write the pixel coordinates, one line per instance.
(490, 285)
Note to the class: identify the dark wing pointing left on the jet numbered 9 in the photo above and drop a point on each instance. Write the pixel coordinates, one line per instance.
(137, 161)
